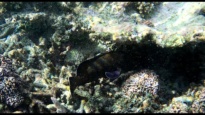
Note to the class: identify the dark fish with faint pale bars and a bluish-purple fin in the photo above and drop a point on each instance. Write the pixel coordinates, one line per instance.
(103, 65)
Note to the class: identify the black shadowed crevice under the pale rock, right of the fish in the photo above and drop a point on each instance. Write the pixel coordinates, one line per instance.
(183, 64)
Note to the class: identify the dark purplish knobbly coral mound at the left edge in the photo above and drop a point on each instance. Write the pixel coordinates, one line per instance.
(10, 84)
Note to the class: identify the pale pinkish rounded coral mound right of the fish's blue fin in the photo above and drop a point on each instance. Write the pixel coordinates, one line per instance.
(141, 83)
